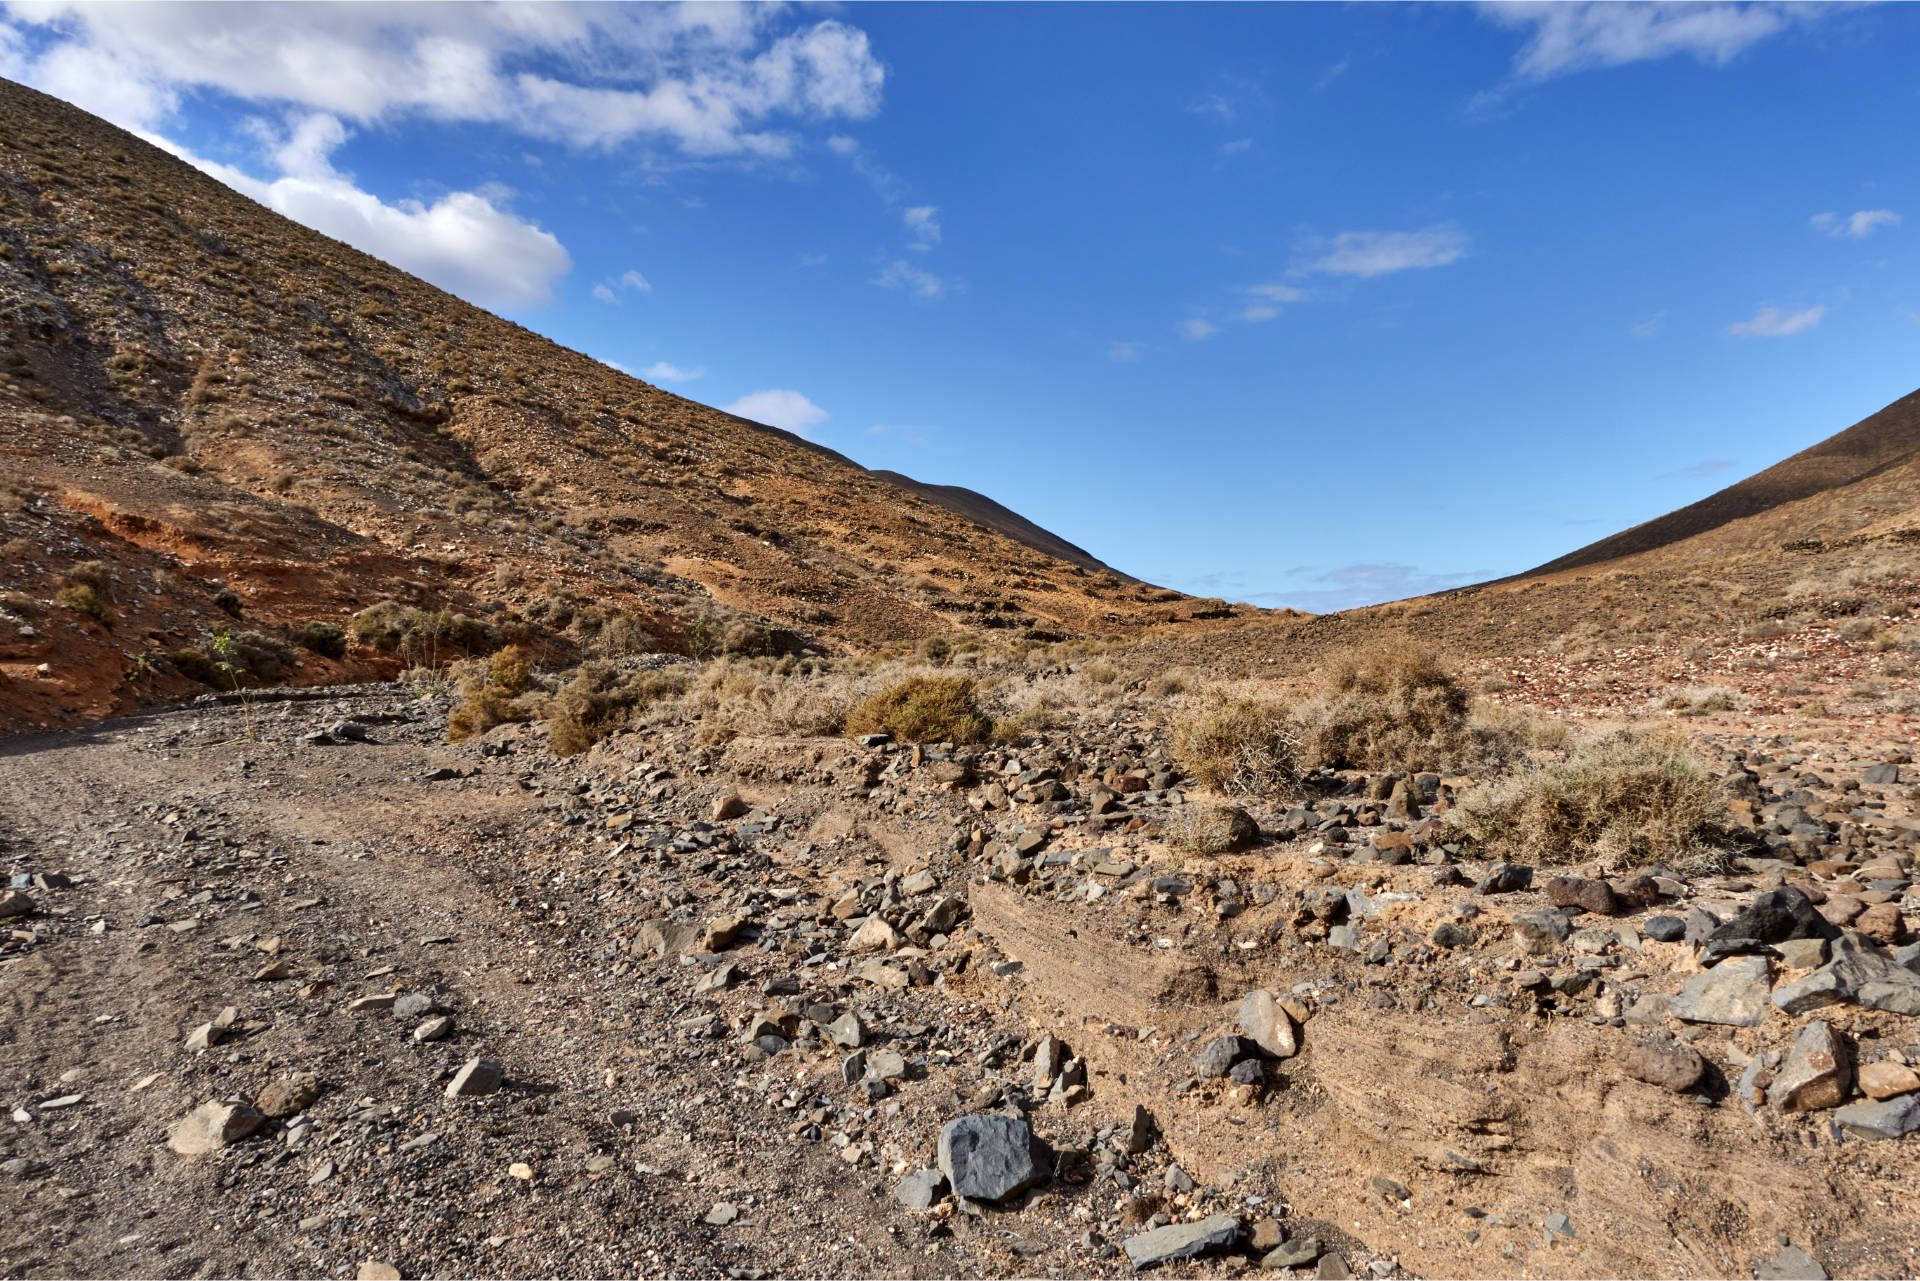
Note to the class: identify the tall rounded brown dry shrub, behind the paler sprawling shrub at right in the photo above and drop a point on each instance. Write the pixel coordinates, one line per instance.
(1389, 706)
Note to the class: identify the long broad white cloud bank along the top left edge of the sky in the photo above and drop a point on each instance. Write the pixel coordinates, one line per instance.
(706, 80)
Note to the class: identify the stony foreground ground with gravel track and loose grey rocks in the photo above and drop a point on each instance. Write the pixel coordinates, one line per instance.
(297, 988)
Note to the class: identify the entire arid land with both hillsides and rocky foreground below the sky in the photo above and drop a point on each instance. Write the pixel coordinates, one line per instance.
(473, 813)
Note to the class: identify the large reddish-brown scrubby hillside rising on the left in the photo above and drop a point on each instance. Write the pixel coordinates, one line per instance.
(204, 402)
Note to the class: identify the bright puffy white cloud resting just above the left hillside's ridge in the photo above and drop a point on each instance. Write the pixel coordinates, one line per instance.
(464, 243)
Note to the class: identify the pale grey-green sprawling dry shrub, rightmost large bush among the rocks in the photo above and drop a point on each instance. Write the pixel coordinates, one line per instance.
(1625, 798)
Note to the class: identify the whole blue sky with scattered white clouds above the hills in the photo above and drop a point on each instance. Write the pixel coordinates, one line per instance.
(1301, 306)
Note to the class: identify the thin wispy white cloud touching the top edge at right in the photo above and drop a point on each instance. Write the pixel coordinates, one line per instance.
(1579, 37)
